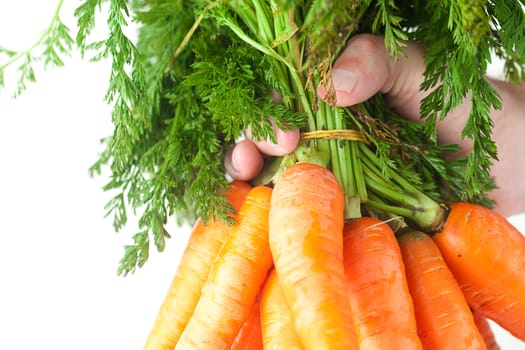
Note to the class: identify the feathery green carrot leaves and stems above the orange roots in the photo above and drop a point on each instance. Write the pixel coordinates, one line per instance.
(196, 73)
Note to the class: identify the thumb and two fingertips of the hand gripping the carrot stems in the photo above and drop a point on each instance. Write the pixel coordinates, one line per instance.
(363, 69)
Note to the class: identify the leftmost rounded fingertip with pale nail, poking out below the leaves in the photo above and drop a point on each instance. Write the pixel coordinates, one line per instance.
(243, 161)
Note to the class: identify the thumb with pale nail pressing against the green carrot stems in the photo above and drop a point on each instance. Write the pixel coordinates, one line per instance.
(366, 67)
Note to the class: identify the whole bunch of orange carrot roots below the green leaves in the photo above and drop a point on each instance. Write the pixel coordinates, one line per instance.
(292, 273)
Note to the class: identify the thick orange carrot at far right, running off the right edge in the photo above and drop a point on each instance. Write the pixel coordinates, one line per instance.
(486, 254)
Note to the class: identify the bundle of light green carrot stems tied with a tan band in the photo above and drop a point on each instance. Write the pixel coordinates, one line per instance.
(265, 28)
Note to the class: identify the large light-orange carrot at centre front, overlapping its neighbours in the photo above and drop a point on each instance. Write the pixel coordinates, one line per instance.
(306, 222)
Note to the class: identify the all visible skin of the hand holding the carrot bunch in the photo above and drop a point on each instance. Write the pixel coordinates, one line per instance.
(365, 68)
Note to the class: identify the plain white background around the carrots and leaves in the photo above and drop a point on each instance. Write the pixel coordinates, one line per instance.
(58, 255)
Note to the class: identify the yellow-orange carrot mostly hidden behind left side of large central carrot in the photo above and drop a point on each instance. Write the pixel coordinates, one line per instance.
(278, 331)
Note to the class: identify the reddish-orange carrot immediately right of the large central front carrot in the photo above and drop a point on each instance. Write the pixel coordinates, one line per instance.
(381, 304)
